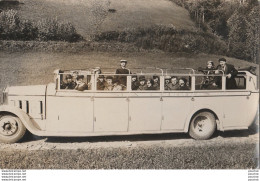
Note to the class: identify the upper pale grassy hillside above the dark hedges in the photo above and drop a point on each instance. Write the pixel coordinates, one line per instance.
(92, 16)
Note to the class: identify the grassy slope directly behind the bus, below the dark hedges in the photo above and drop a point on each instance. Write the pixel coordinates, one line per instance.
(37, 68)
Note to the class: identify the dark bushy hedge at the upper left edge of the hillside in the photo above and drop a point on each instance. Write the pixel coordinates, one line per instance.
(13, 28)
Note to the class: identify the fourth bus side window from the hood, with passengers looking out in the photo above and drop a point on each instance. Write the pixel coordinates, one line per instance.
(177, 83)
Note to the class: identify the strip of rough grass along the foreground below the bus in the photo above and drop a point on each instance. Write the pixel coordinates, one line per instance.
(235, 156)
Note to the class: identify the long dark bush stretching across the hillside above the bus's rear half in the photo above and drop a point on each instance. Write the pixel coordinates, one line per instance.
(167, 38)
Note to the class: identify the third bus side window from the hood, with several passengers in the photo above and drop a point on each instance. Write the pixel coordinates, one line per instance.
(145, 83)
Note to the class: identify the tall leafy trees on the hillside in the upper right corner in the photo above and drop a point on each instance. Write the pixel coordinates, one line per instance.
(236, 22)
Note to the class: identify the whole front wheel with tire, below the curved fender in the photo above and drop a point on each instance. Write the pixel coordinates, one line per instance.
(12, 129)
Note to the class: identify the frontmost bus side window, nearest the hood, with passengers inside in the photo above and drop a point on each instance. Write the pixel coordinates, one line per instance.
(75, 81)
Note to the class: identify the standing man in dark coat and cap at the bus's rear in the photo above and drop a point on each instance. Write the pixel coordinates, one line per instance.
(230, 72)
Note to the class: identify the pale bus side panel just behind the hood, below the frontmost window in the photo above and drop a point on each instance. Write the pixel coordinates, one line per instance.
(74, 114)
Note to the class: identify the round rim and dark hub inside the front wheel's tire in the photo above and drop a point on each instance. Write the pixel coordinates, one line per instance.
(8, 126)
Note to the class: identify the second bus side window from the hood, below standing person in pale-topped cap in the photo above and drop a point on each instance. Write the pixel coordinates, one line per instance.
(111, 83)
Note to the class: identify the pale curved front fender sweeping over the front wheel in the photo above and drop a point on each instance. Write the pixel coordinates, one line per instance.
(26, 120)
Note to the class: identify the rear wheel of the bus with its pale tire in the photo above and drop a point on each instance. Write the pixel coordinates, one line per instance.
(202, 126)
